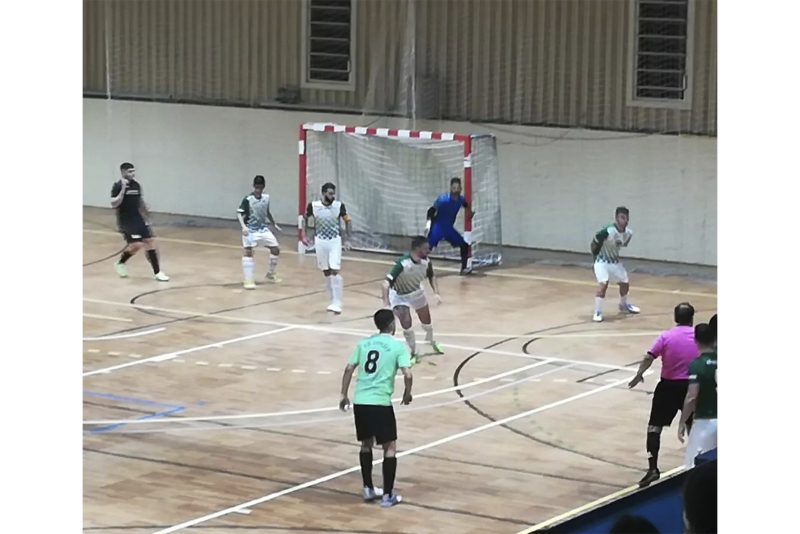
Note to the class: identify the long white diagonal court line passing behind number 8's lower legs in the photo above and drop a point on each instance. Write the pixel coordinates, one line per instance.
(415, 450)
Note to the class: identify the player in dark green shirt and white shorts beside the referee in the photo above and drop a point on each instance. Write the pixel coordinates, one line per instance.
(701, 398)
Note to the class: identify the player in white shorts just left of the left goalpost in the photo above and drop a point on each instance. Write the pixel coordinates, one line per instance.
(253, 214)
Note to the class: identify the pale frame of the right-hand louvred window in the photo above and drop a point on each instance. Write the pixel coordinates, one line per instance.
(662, 103)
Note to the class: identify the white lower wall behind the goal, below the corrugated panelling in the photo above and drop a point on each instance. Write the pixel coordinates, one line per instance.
(558, 186)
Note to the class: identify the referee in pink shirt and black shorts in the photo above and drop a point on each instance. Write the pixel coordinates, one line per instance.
(677, 349)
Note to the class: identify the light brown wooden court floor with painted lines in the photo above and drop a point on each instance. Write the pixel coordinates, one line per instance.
(212, 409)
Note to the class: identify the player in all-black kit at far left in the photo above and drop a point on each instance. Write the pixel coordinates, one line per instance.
(132, 215)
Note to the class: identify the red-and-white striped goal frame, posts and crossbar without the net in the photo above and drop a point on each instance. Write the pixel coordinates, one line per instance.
(466, 175)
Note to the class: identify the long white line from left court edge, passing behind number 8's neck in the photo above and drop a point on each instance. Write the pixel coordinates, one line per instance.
(348, 332)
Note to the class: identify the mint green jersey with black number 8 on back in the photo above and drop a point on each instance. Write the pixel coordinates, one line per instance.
(377, 359)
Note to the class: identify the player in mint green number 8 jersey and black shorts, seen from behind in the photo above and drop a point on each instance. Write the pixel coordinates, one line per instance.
(377, 359)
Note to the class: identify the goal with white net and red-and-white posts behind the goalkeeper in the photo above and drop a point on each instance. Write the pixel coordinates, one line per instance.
(388, 179)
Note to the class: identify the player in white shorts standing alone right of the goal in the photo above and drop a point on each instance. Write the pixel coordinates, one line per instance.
(607, 267)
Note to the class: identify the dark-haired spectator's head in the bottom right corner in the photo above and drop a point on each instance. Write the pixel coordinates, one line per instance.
(700, 498)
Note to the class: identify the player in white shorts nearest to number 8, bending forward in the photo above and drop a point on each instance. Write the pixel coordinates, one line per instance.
(403, 290)
